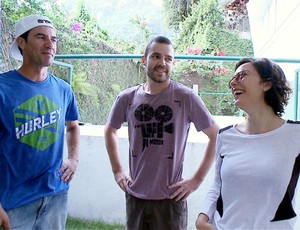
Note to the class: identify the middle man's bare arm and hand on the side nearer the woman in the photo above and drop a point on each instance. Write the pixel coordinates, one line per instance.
(186, 187)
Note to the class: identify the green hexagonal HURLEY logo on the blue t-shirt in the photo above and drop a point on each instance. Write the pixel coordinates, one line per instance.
(37, 122)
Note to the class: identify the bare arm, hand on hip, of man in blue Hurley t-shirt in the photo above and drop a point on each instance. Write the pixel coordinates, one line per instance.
(72, 137)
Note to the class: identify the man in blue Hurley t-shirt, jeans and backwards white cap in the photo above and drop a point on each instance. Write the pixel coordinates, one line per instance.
(36, 109)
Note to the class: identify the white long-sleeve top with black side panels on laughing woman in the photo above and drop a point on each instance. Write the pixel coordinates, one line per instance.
(255, 179)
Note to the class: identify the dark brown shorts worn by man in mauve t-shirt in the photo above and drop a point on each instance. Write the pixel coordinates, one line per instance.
(155, 214)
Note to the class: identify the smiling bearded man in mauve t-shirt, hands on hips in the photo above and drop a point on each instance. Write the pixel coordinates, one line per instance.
(158, 114)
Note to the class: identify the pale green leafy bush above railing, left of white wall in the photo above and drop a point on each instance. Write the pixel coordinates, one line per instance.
(204, 28)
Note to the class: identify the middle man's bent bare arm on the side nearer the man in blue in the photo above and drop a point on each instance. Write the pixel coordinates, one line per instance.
(111, 142)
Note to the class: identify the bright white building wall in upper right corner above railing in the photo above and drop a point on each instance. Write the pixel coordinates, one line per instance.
(274, 25)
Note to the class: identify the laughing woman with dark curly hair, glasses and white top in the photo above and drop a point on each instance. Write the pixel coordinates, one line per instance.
(258, 161)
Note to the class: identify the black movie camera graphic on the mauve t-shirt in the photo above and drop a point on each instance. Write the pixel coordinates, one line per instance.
(153, 123)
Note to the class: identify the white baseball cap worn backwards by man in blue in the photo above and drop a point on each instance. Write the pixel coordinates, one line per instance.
(25, 24)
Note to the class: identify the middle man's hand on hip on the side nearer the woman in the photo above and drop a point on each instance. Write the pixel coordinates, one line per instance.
(184, 189)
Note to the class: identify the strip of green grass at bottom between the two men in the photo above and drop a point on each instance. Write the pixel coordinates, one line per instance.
(74, 223)
